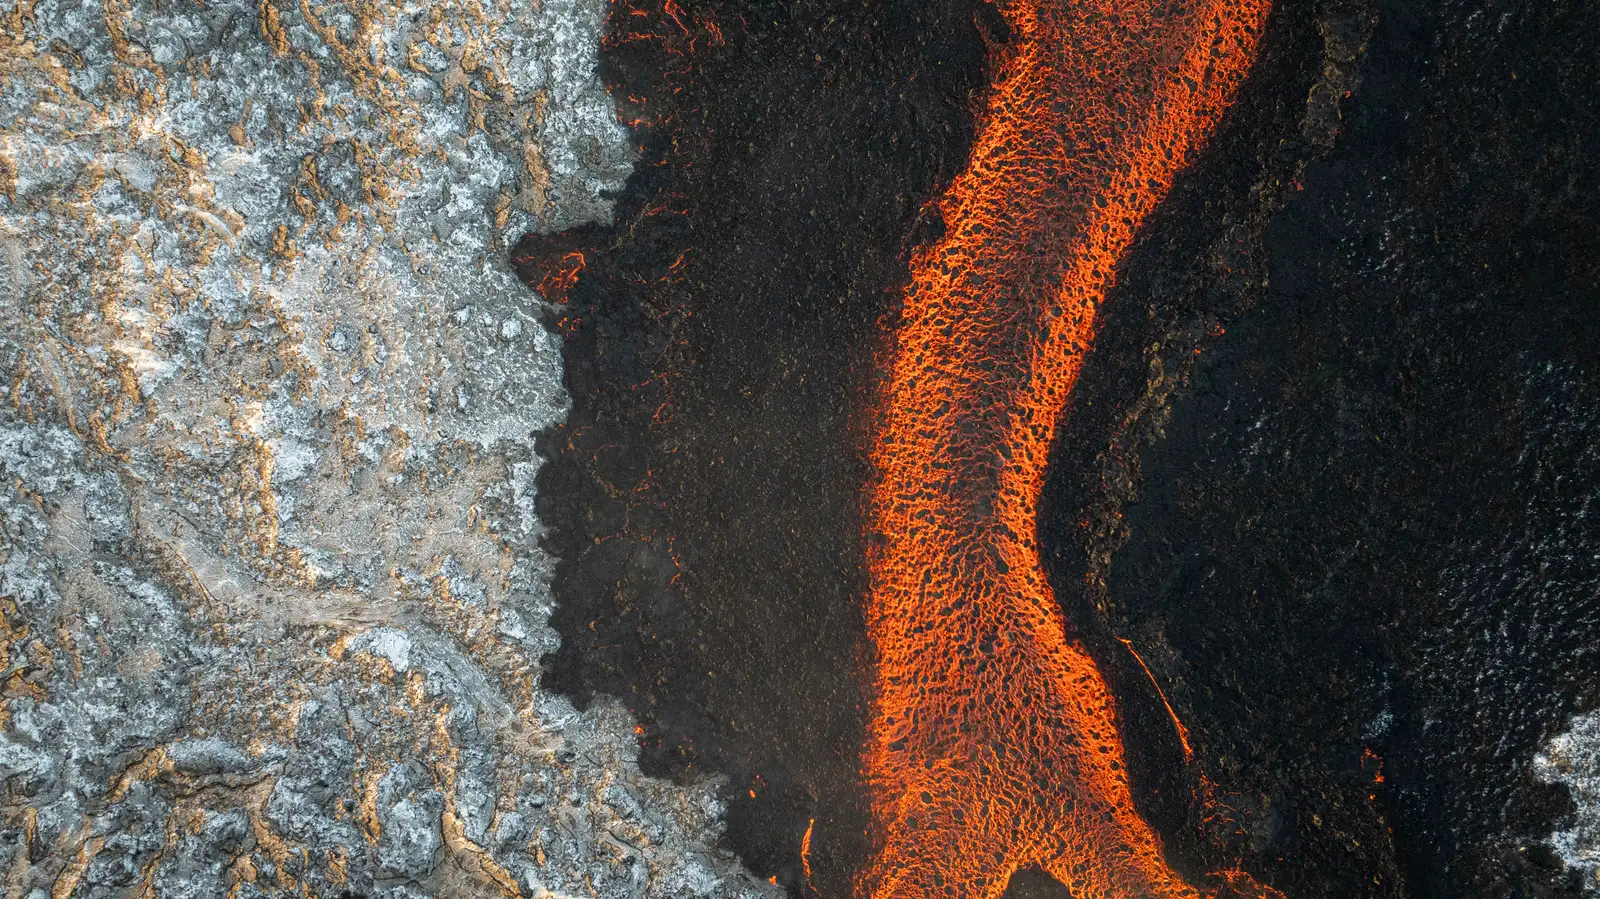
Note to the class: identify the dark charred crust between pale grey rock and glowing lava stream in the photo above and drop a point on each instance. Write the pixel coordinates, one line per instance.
(703, 497)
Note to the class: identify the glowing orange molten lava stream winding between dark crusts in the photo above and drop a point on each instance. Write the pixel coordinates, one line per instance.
(994, 740)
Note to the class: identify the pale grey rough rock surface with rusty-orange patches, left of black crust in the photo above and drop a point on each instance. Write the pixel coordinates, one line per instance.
(270, 572)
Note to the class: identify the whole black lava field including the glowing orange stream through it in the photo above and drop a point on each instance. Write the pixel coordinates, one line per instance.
(1316, 514)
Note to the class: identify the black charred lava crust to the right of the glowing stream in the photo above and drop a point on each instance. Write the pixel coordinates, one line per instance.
(1353, 537)
